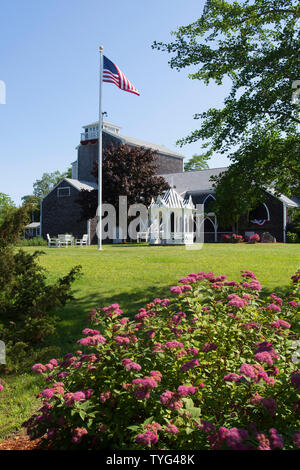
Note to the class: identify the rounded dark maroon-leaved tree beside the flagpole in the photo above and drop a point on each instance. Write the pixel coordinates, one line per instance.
(127, 172)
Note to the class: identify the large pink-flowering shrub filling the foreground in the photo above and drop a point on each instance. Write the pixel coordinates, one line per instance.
(212, 367)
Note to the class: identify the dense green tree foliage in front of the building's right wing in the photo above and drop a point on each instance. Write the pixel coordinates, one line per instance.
(240, 189)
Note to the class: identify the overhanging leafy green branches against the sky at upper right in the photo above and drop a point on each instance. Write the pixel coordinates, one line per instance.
(256, 45)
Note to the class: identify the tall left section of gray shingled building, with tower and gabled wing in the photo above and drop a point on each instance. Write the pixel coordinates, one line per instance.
(59, 211)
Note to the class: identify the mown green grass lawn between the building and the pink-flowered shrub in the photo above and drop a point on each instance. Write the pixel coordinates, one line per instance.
(132, 276)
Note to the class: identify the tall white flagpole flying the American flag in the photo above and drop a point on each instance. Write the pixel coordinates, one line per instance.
(99, 212)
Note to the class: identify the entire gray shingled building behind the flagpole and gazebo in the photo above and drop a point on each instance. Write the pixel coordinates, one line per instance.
(60, 214)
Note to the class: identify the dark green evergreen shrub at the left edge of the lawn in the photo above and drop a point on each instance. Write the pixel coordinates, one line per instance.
(27, 301)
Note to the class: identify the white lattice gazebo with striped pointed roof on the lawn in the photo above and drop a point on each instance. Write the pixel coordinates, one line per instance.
(171, 219)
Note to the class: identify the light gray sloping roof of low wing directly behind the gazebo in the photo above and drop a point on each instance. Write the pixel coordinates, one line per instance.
(189, 181)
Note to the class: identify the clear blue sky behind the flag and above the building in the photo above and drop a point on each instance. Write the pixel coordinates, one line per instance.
(49, 61)
